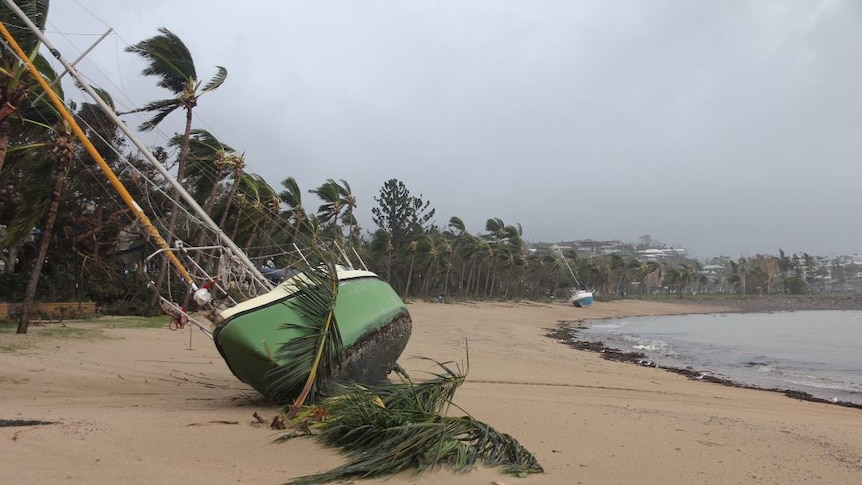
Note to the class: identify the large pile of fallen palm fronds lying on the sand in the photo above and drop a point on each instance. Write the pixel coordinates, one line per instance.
(386, 429)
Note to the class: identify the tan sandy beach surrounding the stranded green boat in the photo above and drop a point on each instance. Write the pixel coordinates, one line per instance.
(138, 405)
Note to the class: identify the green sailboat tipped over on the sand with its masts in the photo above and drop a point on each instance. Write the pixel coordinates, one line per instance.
(255, 333)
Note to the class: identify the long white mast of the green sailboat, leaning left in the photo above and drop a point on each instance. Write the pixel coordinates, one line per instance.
(234, 248)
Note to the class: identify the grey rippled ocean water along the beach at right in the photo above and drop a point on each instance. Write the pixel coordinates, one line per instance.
(819, 352)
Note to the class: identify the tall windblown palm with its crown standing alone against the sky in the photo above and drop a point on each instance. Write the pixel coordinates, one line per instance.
(169, 60)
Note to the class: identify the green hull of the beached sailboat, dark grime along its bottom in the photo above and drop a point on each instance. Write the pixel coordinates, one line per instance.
(373, 320)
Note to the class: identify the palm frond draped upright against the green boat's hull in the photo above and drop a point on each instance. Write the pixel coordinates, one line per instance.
(311, 358)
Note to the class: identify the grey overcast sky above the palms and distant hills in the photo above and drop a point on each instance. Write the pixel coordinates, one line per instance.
(723, 127)
